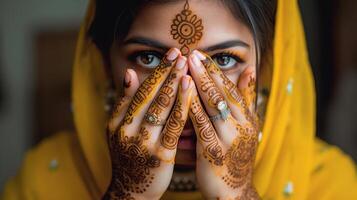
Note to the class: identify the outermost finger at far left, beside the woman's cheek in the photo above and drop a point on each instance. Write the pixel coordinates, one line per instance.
(131, 84)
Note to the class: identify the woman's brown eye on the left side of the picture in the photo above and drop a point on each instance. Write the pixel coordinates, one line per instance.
(146, 59)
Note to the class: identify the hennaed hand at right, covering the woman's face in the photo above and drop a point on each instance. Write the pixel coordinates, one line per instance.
(226, 148)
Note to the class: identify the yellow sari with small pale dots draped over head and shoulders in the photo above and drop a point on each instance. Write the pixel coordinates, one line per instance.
(291, 162)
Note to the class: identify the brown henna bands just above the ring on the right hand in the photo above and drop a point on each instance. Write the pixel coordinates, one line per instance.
(209, 87)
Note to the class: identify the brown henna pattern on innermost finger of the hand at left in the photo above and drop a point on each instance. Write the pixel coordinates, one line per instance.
(173, 127)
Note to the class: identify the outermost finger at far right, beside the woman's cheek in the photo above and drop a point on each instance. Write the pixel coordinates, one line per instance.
(247, 85)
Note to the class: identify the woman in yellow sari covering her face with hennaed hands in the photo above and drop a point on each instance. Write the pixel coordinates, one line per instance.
(185, 124)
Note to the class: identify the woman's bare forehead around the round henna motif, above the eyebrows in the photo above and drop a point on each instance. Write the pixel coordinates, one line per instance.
(155, 21)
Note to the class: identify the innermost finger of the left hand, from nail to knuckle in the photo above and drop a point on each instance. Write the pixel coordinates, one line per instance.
(176, 122)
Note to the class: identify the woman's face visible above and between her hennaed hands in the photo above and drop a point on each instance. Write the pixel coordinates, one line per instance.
(227, 40)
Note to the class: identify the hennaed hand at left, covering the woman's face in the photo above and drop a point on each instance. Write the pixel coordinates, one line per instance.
(143, 153)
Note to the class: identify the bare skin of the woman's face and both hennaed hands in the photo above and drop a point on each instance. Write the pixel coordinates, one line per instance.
(223, 158)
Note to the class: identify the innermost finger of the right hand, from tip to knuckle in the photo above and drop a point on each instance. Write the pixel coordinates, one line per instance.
(209, 145)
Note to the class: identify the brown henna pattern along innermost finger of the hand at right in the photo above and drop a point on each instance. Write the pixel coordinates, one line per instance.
(213, 151)
